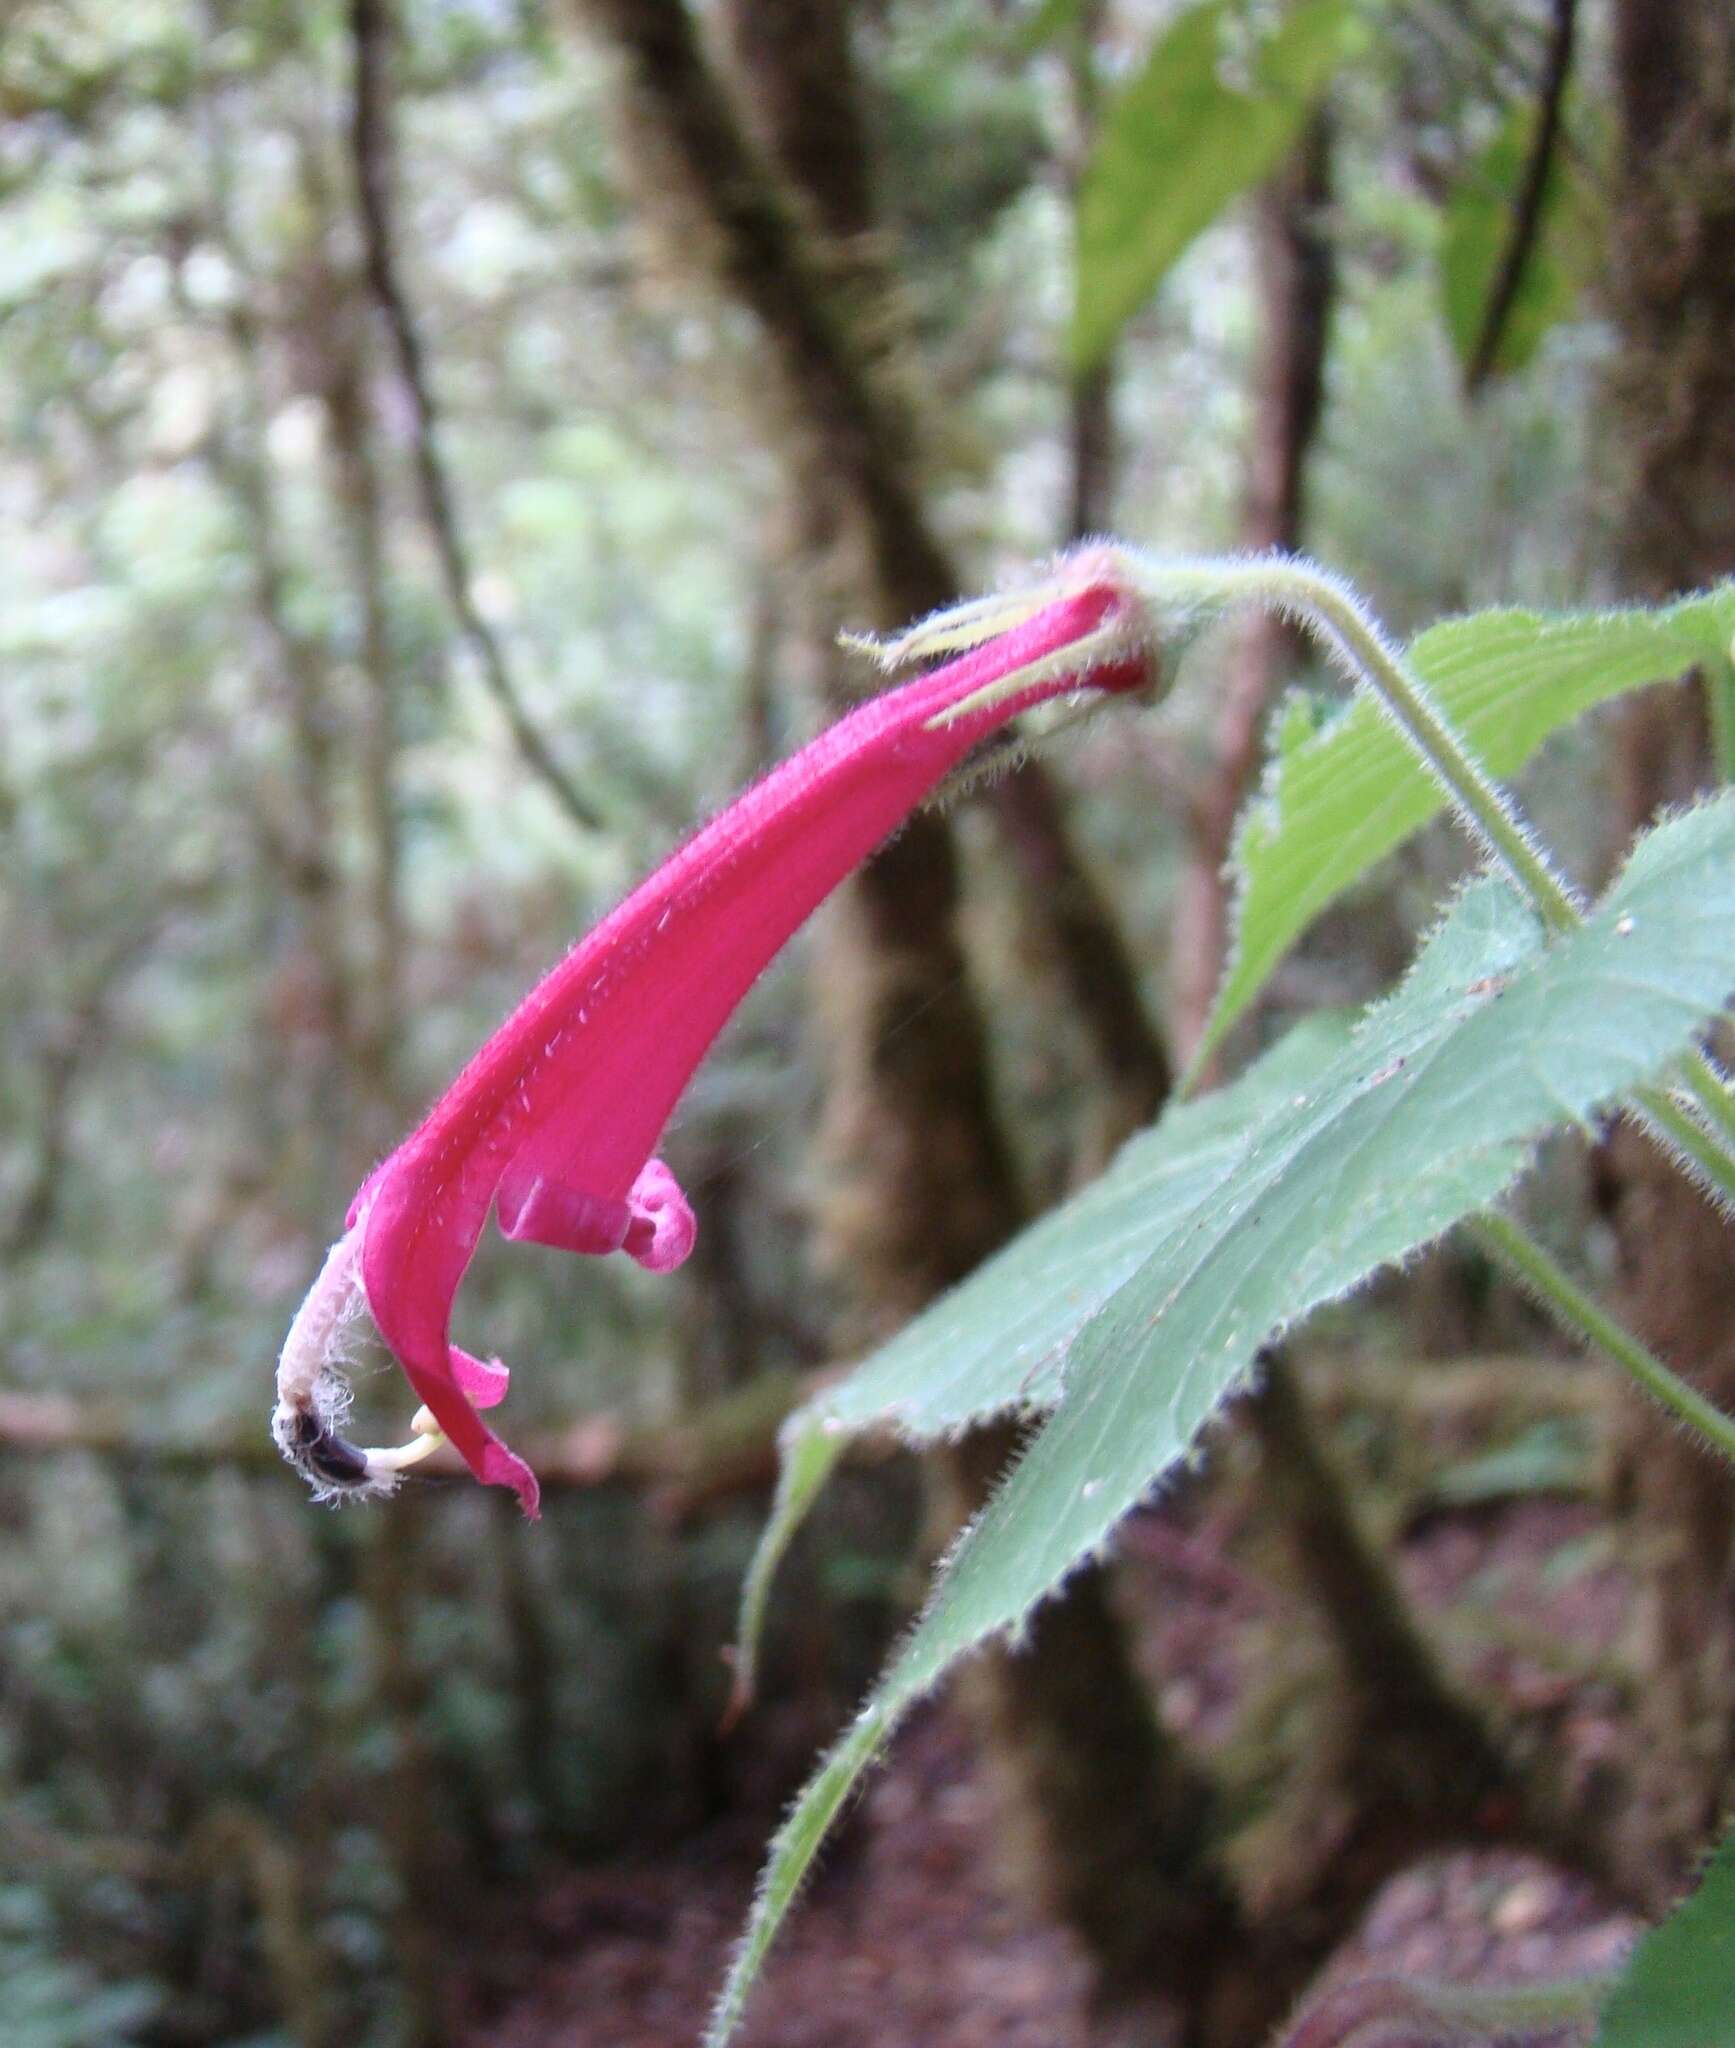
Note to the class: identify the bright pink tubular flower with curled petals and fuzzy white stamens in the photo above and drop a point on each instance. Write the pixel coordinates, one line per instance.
(554, 1121)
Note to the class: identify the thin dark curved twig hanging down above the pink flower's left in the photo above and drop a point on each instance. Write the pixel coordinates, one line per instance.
(372, 148)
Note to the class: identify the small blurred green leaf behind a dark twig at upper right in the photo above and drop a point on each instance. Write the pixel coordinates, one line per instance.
(1476, 239)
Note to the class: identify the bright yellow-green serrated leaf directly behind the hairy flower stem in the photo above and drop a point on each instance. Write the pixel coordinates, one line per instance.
(1337, 804)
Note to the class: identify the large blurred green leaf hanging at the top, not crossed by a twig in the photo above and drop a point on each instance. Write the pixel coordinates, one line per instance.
(1199, 126)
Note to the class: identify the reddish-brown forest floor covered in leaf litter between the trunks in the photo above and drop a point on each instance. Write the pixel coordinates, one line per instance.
(908, 1938)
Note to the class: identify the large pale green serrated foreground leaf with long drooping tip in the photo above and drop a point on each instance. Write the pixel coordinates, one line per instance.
(1423, 1117)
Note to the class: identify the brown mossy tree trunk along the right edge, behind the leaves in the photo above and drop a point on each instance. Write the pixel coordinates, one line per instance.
(1675, 404)
